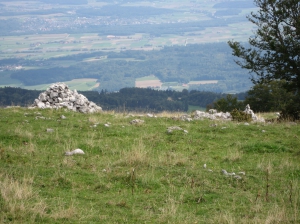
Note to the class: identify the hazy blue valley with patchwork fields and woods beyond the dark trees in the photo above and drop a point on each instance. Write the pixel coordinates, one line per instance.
(114, 45)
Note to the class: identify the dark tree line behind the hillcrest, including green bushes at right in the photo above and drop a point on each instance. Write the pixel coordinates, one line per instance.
(262, 98)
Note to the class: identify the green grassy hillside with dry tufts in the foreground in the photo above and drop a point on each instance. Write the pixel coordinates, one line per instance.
(142, 174)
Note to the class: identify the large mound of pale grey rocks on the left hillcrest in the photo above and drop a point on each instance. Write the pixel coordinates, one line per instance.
(59, 95)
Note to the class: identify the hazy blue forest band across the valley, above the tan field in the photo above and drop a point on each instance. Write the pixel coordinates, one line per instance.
(180, 64)
